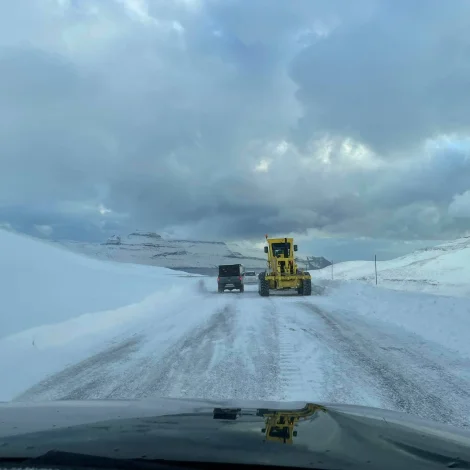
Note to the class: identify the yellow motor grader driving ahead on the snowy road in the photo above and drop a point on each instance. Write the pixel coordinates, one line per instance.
(283, 272)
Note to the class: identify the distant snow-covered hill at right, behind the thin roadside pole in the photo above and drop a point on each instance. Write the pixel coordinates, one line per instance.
(441, 269)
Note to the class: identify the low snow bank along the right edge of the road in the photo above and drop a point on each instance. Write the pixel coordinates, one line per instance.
(440, 319)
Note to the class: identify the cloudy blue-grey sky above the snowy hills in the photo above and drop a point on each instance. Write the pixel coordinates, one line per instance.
(340, 121)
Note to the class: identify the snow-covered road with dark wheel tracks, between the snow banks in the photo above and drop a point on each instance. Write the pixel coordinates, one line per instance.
(286, 348)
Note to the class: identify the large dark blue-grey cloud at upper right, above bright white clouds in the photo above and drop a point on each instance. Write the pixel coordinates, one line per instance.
(391, 81)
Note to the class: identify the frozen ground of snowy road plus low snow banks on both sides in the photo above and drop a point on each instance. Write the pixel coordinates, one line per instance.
(354, 344)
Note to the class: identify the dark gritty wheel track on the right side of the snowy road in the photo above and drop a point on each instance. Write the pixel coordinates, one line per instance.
(402, 375)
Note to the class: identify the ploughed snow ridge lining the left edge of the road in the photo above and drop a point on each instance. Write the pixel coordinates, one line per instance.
(31, 355)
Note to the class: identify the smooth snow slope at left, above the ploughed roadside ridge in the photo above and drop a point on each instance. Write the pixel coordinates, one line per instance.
(43, 284)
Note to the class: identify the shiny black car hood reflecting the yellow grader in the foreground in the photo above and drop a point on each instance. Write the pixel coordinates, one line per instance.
(251, 432)
